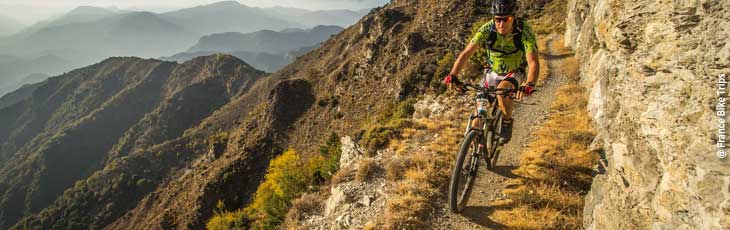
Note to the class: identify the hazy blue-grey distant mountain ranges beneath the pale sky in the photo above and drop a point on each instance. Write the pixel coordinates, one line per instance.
(88, 34)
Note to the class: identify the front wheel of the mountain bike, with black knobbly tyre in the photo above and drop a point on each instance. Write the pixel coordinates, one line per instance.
(465, 171)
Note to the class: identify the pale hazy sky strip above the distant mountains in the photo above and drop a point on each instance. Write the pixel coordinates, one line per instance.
(30, 11)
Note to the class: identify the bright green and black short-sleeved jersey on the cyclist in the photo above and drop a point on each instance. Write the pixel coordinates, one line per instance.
(499, 62)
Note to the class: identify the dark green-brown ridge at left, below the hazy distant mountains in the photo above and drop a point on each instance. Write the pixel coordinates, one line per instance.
(74, 123)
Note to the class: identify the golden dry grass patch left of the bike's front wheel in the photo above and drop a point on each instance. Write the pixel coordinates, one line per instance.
(419, 177)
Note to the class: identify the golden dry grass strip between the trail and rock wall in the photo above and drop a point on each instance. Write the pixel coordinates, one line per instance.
(556, 169)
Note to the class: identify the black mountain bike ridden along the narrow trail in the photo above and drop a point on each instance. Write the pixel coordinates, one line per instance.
(479, 142)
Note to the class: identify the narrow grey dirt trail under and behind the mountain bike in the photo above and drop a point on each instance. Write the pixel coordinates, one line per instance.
(528, 114)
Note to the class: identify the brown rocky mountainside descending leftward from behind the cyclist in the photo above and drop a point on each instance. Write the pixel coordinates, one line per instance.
(362, 71)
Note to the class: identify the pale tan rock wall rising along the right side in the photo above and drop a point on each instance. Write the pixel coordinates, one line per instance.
(652, 69)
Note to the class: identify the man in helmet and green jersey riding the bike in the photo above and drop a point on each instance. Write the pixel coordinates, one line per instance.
(511, 45)
